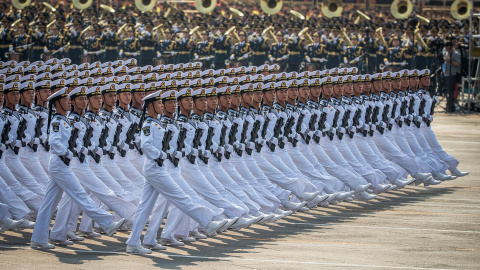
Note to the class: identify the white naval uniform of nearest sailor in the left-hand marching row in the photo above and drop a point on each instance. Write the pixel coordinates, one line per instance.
(63, 180)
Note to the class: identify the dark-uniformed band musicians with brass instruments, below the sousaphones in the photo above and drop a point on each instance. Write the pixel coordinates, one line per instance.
(369, 46)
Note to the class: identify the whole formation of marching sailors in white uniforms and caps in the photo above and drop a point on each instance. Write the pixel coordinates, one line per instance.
(222, 151)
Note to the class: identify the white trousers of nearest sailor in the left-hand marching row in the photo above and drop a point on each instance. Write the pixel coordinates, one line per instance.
(63, 180)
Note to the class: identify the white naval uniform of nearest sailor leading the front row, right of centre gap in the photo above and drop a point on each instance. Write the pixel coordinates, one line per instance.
(159, 182)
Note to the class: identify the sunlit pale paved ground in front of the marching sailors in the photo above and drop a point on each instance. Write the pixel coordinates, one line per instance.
(413, 228)
